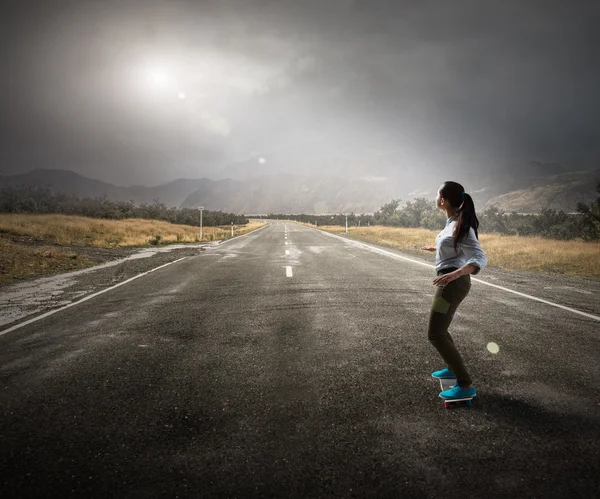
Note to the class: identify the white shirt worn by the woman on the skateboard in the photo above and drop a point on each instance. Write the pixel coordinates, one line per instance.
(469, 250)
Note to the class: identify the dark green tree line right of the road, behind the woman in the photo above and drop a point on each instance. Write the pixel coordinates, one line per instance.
(585, 224)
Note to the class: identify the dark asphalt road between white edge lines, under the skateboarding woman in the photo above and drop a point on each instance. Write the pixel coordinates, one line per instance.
(248, 372)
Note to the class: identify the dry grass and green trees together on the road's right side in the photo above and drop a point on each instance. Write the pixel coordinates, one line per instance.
(549, 241)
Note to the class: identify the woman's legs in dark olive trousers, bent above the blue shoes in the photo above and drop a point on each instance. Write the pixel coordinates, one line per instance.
(445, 303)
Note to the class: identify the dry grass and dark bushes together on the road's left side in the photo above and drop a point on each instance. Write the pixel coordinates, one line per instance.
(43, 232)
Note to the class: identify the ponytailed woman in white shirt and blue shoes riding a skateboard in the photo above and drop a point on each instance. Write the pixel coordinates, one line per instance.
(458, 254)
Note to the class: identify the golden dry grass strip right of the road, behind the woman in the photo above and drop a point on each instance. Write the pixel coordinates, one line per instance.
(576, 258)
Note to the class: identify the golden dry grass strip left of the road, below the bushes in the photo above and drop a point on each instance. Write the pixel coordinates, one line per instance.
(81, 231)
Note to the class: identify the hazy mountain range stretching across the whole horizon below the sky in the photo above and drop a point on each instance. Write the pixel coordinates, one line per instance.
(522, 188)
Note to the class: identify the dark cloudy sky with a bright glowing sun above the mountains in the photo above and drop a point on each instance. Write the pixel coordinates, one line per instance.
(143, 92)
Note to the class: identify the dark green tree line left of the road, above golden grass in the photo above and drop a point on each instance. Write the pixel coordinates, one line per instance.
(42, 200)
